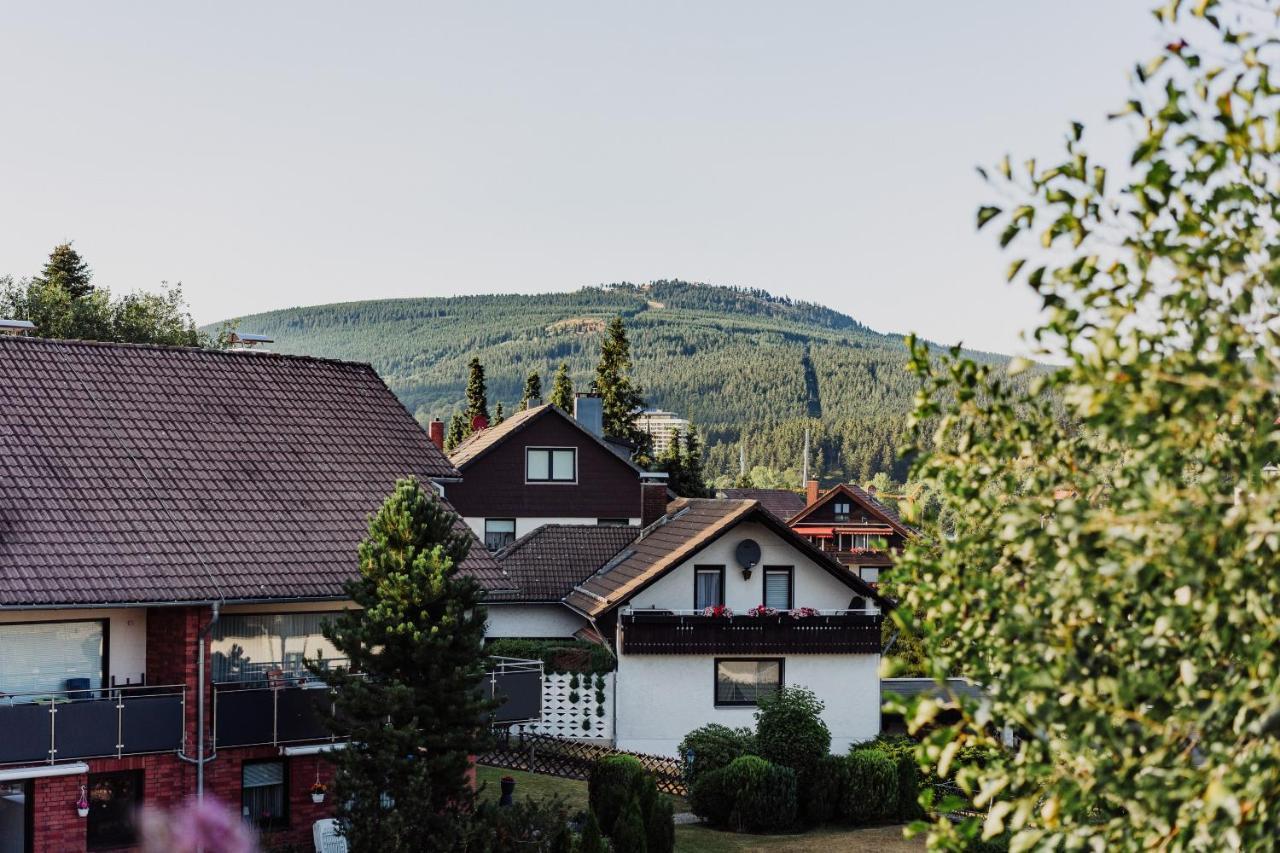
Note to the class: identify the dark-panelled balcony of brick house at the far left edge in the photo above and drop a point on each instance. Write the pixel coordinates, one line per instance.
(92, 724)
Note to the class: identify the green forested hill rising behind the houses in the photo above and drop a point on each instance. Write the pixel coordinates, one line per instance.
(740, 363)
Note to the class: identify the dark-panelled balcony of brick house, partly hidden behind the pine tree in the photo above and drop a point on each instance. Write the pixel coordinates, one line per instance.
(271, 705)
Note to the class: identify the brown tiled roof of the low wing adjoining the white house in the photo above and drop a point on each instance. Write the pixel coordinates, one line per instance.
(547, 563)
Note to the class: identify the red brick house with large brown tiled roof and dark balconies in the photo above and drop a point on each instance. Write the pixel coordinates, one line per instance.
(175, 526)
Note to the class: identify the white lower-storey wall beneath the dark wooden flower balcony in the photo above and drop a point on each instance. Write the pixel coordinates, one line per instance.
(664, 697)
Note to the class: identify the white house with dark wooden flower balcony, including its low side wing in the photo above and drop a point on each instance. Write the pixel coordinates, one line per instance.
(710, 609)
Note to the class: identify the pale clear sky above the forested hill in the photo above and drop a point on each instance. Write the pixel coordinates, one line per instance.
(277, 154)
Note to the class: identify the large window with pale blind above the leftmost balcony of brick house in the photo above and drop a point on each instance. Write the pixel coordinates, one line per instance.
(51, 658)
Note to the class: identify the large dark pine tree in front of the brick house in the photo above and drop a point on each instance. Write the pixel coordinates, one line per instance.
(415, 709)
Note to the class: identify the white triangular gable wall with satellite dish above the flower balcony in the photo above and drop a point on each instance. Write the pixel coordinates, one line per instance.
(815, 587)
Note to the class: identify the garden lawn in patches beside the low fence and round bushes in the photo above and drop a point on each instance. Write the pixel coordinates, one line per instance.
(700, 840)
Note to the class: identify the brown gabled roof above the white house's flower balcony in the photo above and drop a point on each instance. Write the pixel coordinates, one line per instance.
(691, 526)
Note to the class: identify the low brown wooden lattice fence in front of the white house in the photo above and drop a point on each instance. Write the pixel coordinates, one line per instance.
(574, 760)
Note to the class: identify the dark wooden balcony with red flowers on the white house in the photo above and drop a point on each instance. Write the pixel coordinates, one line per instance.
(844, 632)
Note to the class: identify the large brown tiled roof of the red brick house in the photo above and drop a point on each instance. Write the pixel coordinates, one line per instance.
(166, 475)
